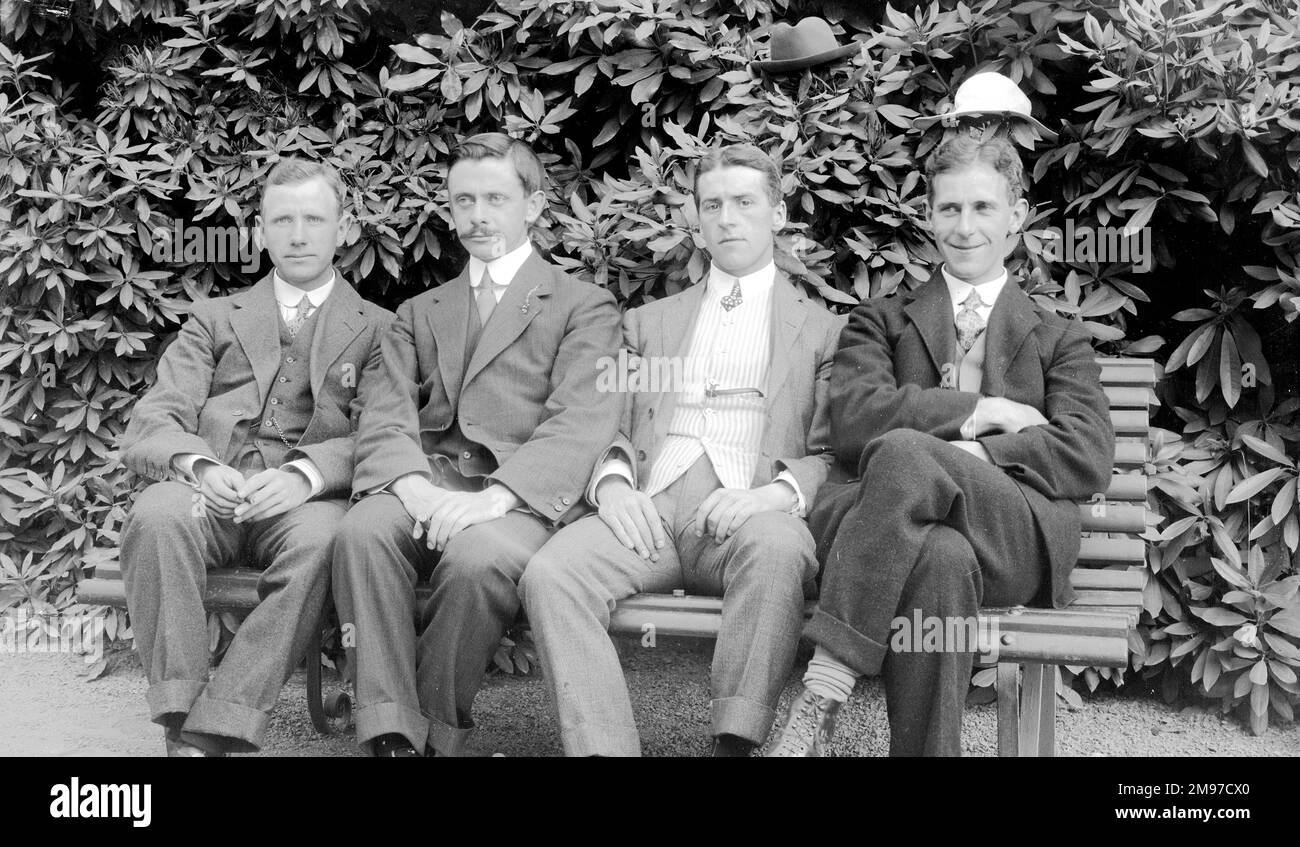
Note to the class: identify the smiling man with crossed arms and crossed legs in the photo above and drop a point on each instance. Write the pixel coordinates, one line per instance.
(964, 450)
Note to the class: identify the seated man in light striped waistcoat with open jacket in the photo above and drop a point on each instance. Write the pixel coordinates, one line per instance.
(725, 441)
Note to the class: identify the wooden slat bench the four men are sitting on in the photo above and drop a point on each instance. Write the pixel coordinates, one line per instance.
(1095, 631)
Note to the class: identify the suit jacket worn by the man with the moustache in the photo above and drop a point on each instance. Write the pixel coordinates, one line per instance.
(528, 393)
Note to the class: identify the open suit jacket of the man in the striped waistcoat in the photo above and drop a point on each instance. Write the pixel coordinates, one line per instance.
(798, 432)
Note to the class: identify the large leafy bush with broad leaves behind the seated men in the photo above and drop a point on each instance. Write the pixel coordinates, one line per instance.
(133, 114)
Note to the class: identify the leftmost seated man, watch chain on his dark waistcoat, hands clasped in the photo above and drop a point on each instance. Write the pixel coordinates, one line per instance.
(249, 433)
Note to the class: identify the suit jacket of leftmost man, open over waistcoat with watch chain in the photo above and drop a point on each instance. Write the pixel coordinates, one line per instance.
(214, 381)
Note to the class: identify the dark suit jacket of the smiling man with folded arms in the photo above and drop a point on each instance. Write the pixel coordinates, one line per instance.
(889, 375)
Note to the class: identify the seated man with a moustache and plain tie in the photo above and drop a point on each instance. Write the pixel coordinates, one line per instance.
(478, 448)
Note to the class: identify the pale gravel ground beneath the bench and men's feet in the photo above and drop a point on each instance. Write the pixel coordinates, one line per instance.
(49, 710)
